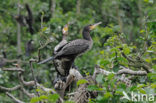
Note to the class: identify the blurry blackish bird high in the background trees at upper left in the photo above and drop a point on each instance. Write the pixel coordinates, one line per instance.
(26, 20)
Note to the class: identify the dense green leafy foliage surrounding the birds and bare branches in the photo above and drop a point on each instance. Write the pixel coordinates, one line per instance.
(125, 39)
